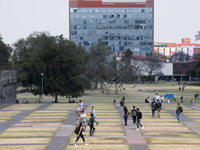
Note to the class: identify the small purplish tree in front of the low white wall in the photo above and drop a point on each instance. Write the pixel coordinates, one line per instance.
(152, 65)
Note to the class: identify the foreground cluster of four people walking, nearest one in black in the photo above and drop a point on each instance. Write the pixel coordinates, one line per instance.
(83, 123)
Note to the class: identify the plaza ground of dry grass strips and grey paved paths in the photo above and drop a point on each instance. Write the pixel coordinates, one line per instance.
(50, 127)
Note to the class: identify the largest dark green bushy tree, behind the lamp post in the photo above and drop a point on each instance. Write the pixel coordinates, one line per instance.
(55, 57)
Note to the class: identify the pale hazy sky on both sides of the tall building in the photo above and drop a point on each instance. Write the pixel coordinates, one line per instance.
(174, 19)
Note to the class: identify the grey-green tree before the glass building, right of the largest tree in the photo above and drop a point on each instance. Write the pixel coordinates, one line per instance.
(97, 60)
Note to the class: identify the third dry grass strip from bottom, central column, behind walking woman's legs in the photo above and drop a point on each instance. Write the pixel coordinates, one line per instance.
(104, 134)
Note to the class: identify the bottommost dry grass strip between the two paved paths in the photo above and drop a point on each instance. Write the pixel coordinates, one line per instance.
(97, 147)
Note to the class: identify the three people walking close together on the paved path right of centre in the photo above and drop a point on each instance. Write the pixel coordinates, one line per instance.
(136, 116)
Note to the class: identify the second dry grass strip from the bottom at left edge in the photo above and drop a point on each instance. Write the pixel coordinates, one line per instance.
(24, 140)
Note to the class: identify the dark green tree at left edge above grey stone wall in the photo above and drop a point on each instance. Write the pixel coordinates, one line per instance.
(5, 52)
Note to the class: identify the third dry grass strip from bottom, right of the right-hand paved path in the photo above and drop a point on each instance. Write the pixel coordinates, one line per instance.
(179, 134)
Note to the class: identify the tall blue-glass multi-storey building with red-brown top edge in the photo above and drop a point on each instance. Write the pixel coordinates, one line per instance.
(120, 24)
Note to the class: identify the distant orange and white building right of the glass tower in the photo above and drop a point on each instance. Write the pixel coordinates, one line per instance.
(168, 49)
